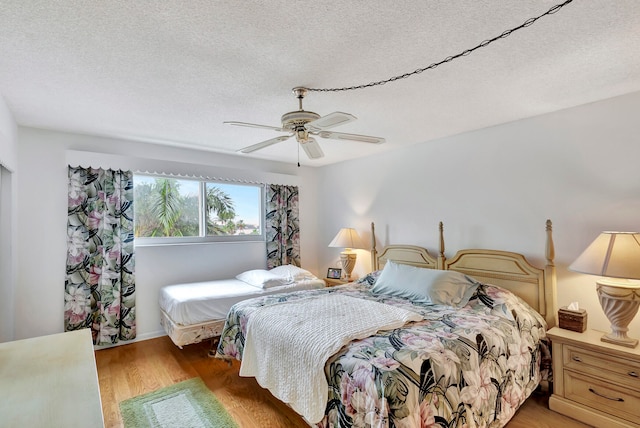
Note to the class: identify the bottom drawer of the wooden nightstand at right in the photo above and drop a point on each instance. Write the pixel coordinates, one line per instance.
(602, 395)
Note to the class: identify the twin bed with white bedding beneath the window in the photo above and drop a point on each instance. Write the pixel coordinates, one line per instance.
(193, 312)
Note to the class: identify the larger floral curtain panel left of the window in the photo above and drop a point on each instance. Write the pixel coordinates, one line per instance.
(99, 283)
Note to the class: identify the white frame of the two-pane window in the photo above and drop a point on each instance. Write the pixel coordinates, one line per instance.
(203, 238)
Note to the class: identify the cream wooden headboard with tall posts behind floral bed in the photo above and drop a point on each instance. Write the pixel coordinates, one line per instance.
(536, 286)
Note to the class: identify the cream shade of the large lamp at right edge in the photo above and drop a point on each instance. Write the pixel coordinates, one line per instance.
(612, 254)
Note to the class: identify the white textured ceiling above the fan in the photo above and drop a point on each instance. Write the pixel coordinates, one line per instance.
(171, 72)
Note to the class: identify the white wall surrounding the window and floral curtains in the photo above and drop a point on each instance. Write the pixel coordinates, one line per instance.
(43, 157)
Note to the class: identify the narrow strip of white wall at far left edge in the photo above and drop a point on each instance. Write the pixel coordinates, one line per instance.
(8, 210)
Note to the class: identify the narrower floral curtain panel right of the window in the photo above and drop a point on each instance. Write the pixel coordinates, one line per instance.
(282, 226)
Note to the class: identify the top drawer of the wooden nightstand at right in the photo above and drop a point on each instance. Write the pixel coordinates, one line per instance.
(617, 370)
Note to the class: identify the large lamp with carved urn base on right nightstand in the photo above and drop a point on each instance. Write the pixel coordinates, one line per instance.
(615, 255)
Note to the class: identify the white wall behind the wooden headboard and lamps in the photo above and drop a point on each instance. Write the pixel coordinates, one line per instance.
(494, 188)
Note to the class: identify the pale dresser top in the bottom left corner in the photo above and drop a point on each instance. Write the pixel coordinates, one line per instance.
(50, 381)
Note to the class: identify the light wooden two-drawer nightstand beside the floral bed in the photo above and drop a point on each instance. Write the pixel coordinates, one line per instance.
(595, 382)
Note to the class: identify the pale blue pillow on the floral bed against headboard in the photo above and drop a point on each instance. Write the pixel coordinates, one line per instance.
(430, 286)
